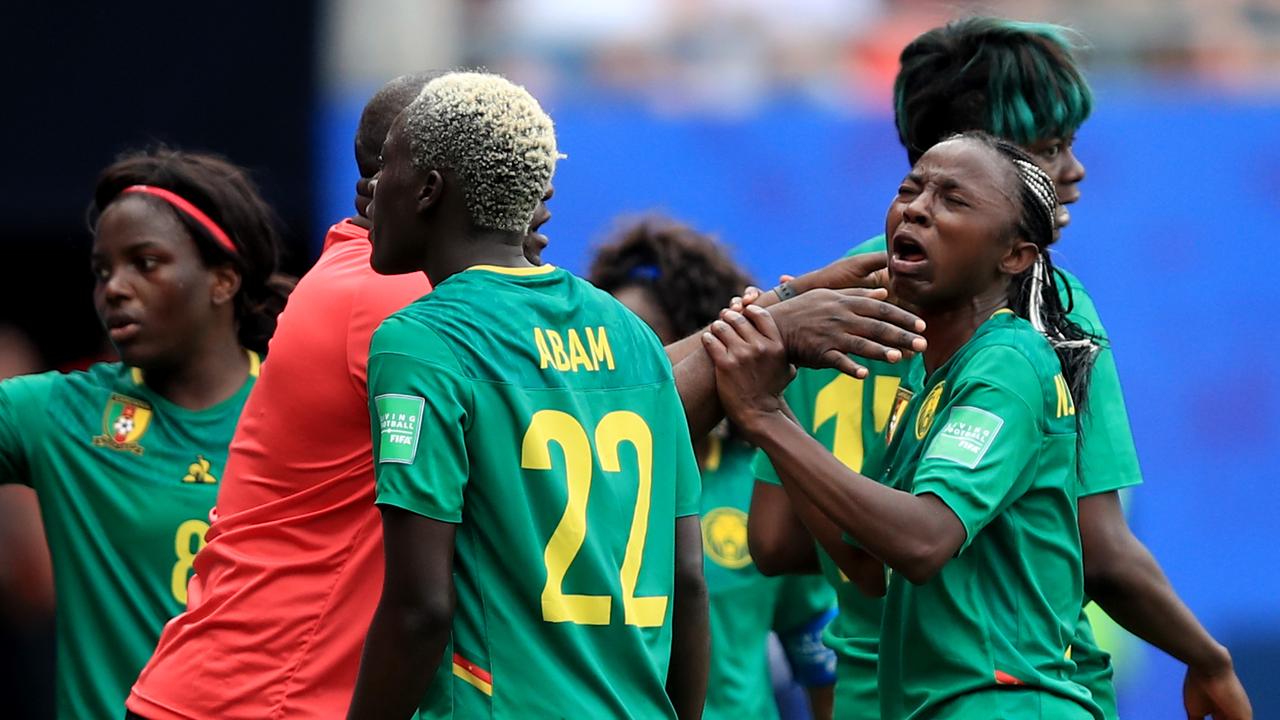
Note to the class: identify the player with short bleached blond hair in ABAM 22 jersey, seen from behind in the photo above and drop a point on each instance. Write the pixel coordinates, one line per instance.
(536, 476)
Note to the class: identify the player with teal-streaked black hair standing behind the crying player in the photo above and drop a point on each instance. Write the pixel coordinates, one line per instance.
(1020, 81)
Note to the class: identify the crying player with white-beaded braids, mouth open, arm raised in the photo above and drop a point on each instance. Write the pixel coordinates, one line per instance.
(976, 517)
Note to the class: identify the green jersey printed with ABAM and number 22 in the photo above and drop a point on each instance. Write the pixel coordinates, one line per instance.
(540, 416)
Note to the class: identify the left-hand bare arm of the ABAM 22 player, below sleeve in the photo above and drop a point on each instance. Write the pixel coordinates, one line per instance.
(415, 616)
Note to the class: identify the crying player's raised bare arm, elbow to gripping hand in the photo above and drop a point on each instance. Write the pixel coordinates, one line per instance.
(913, 535)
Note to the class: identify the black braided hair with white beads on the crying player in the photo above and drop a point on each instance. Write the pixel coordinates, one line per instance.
(1037, 293)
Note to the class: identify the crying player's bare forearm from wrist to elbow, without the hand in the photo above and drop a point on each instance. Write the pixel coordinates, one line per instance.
(907, 532)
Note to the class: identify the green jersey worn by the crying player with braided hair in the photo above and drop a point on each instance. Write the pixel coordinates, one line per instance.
(993, 435)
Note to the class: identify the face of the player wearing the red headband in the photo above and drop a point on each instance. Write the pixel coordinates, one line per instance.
(153, 293)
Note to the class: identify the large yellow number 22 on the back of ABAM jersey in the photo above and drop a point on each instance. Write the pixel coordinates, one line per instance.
(566, 541)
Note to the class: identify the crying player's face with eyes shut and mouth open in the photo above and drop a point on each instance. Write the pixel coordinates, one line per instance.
(949, 227)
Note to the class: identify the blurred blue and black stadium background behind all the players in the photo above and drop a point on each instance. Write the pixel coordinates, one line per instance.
(769, 125)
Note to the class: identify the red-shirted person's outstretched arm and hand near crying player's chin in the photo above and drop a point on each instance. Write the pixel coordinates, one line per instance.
(819, 330)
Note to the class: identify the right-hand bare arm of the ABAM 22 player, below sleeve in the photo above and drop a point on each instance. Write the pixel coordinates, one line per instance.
(691, 625)
